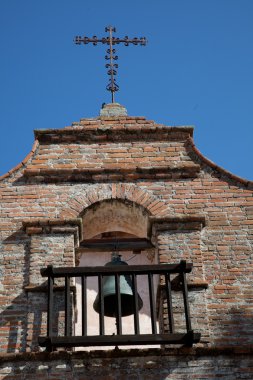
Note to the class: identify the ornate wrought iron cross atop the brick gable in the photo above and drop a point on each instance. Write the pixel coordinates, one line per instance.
(111, 41)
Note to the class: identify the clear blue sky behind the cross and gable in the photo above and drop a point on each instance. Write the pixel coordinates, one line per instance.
(197, 69)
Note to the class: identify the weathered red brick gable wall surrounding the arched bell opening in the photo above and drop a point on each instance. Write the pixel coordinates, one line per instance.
(154, 167)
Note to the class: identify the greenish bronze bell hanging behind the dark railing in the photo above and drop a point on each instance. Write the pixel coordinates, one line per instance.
(126, 293)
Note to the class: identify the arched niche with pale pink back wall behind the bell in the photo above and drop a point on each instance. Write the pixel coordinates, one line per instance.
(114, 219)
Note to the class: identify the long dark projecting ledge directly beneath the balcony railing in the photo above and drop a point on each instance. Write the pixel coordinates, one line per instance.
(121, 353)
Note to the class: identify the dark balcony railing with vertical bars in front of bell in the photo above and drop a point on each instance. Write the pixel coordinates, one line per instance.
(164, 271)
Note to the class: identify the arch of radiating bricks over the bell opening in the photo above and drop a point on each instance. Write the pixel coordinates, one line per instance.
(97, 193)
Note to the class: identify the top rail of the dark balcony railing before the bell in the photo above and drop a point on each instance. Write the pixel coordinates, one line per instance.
(121, 269)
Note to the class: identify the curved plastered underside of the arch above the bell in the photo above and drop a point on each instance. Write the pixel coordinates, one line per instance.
(115, 215)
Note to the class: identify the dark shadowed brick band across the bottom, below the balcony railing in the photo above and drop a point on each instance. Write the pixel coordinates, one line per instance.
(141, 365)
